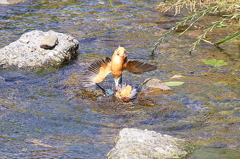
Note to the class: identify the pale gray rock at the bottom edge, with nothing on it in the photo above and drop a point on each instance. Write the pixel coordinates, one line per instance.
(144, 144)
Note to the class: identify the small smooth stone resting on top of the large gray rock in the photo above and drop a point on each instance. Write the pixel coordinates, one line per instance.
(49, 42)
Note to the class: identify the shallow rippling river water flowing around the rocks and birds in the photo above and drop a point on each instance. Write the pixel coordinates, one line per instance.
(47, 114)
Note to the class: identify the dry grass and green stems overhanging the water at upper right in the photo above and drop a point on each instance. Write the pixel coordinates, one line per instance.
(228, 10)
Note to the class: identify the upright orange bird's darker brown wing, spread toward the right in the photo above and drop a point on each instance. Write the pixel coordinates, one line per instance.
(138, 66)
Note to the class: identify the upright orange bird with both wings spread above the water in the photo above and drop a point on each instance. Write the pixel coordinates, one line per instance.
(99, 69)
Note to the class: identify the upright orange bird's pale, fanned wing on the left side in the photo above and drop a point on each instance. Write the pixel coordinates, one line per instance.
(96, 73)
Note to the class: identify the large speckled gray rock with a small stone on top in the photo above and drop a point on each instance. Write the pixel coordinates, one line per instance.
(38, 49)
